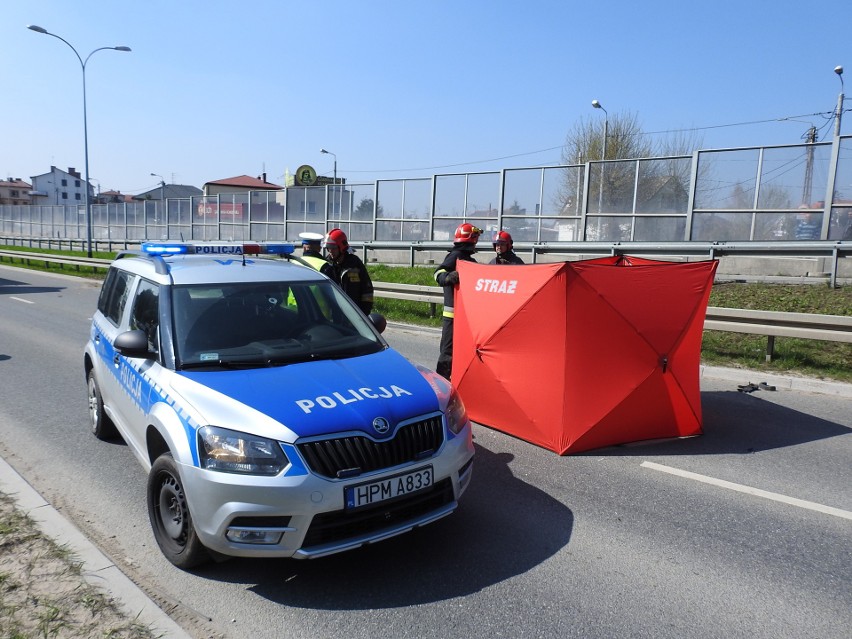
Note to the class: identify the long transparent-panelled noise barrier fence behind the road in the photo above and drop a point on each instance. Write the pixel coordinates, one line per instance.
(795, 192)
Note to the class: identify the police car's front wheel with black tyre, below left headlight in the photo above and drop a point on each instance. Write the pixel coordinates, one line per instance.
(170, 518)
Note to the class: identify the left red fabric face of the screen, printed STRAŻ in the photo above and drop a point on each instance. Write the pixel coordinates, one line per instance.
(500, 366)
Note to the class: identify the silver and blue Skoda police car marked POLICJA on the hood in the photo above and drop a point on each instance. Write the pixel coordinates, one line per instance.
(272, 417)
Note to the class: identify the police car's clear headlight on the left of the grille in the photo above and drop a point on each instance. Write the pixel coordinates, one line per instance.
(230, 451)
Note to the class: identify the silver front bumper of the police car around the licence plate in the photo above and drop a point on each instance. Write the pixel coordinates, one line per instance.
(309, 510)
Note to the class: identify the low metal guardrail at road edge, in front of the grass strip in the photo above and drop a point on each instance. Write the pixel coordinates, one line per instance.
(772, 324)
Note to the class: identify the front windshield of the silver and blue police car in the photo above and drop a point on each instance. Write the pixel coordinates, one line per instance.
(267, 324)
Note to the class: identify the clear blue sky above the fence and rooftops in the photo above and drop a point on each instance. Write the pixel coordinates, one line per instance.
(397, 88)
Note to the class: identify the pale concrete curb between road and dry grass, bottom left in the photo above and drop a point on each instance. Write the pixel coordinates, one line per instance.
(97, 569)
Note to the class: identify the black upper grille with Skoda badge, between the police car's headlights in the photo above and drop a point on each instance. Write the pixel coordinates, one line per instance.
(350, 456)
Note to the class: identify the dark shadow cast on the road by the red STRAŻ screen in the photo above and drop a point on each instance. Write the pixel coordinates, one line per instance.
(739, 423)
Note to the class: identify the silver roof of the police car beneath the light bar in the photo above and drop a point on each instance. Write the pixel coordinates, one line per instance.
(207, 269)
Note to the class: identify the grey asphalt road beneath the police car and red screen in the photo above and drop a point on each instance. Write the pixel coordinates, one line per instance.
(620, 542)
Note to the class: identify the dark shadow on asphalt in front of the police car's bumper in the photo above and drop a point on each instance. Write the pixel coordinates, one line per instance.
(503, 527)
